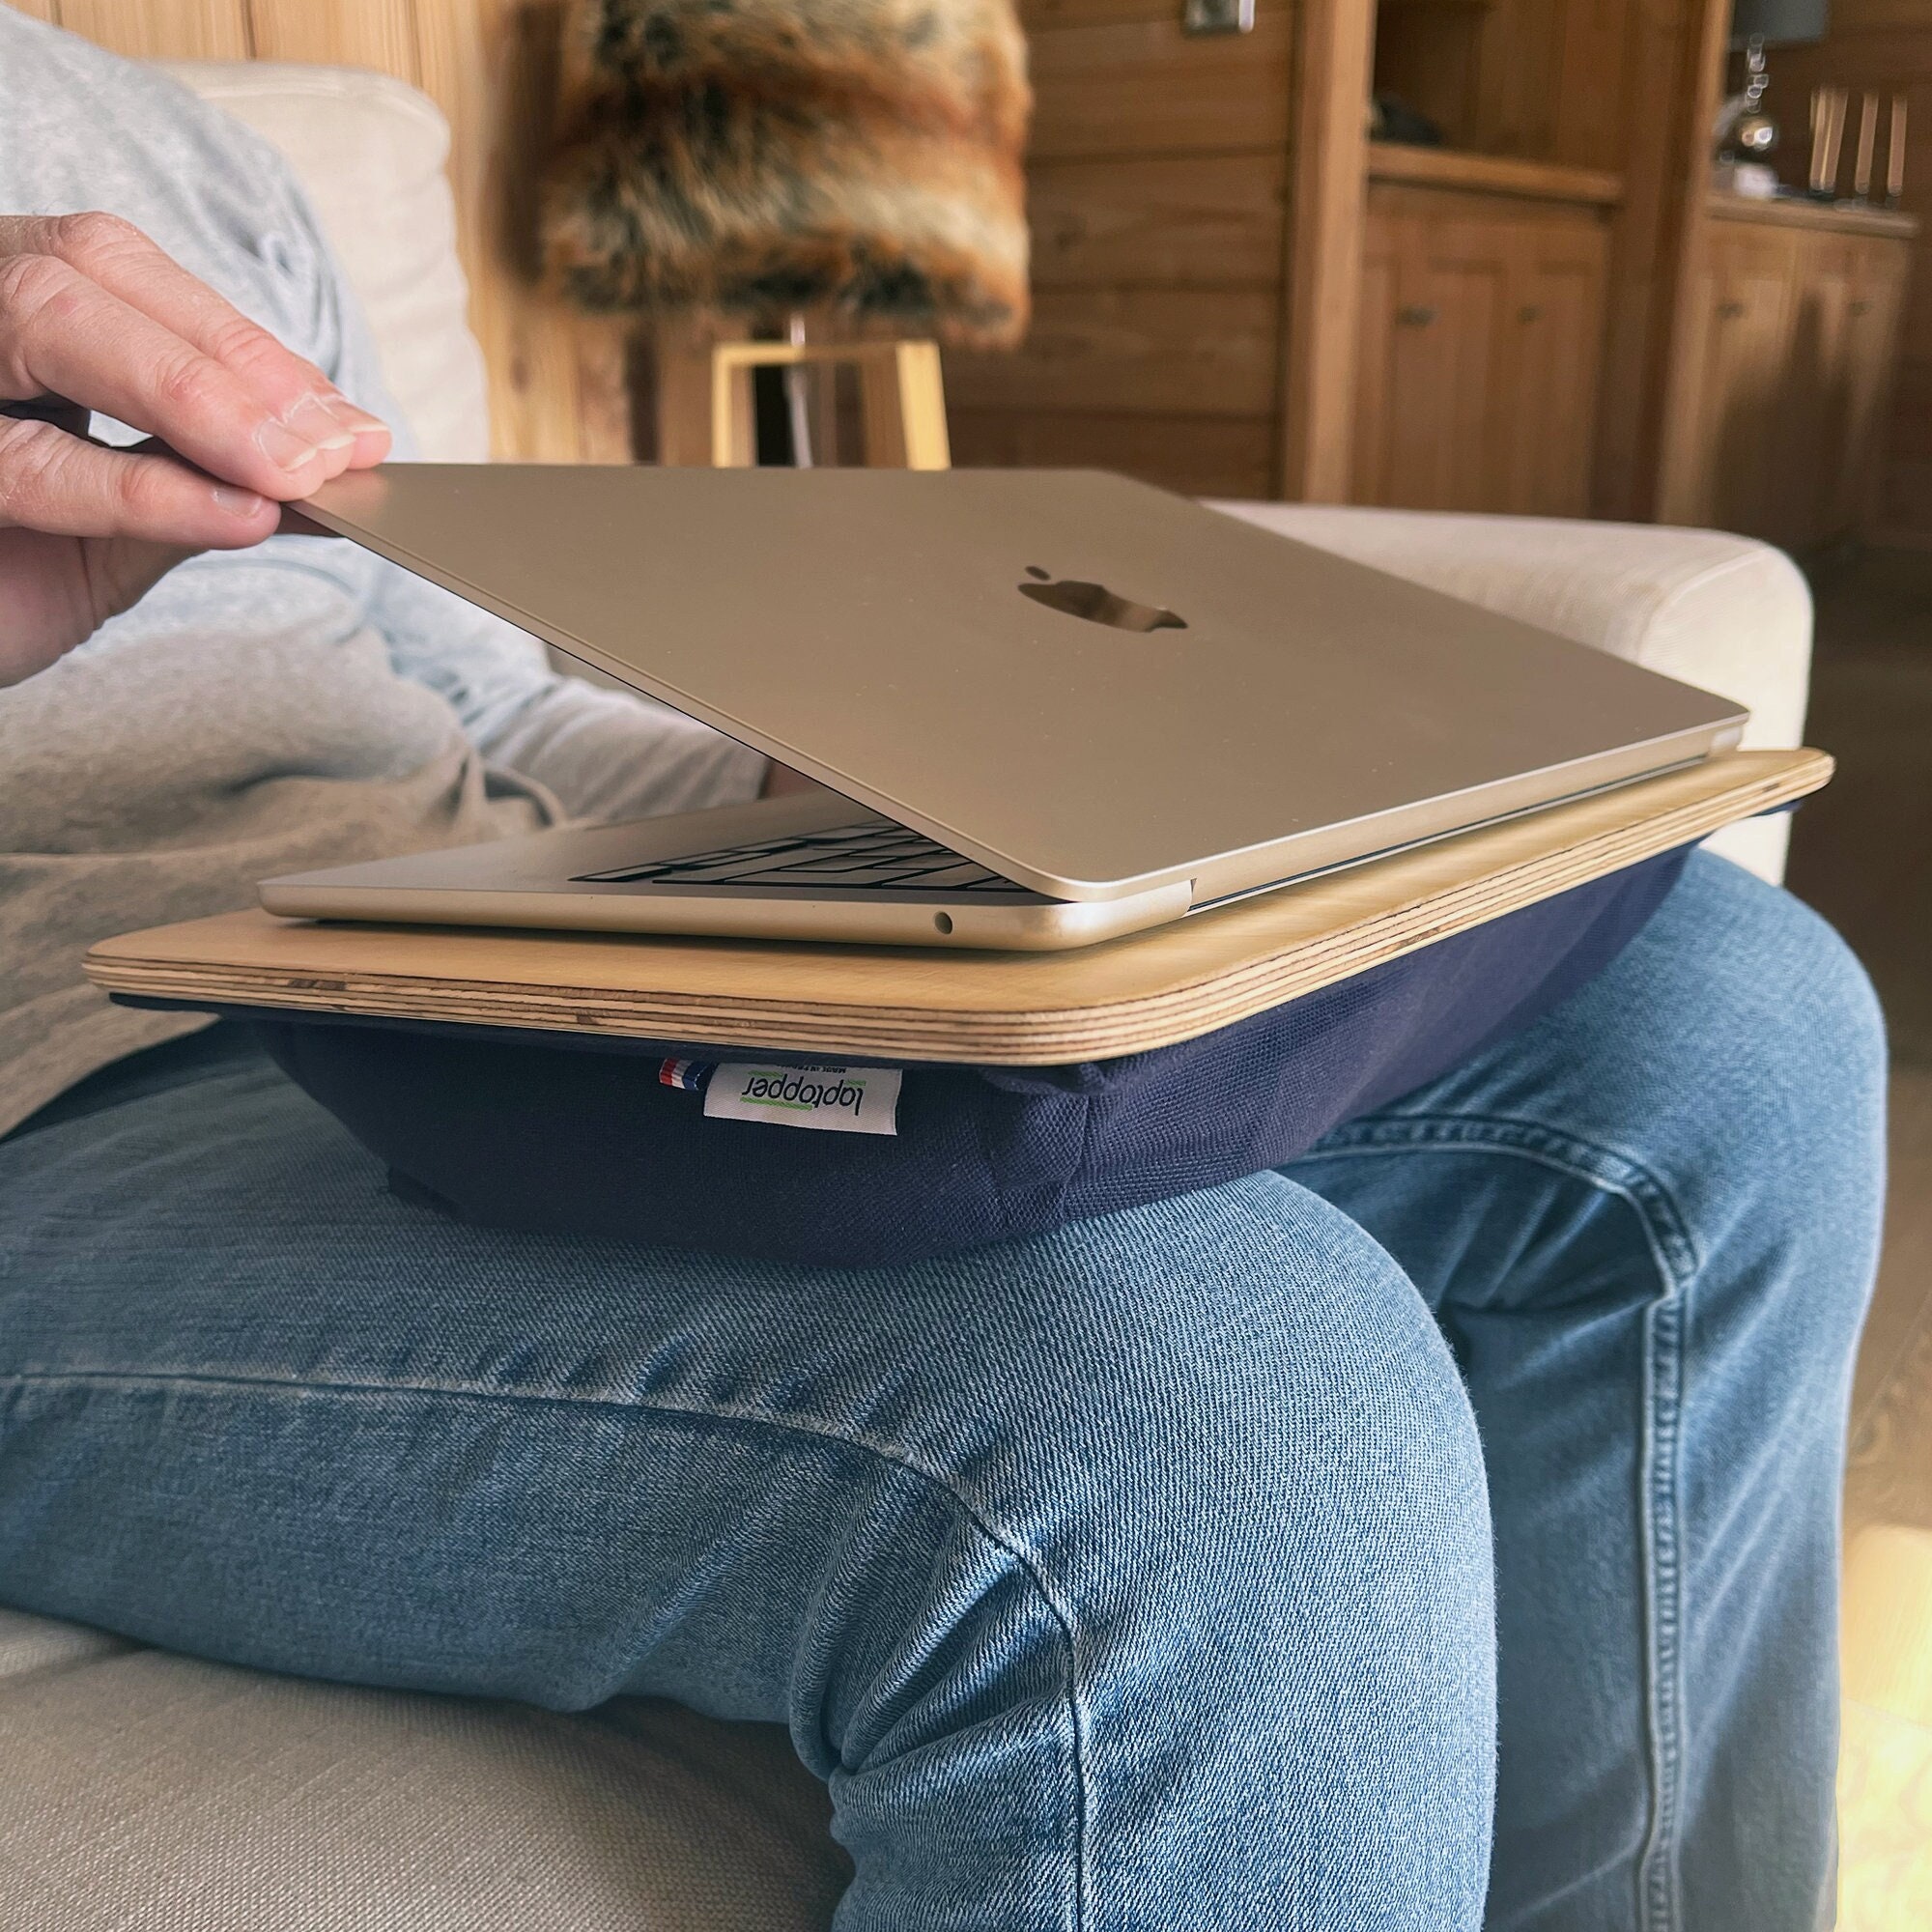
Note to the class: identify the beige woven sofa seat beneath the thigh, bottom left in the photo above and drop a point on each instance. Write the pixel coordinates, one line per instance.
(157, 1792)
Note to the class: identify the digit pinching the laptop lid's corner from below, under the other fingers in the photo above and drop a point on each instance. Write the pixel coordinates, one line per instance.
(57, 484)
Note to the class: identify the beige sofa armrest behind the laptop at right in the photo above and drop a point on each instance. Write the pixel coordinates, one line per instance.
(1724, 613)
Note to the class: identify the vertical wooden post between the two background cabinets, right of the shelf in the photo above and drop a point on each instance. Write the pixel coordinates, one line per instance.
(1672, 78)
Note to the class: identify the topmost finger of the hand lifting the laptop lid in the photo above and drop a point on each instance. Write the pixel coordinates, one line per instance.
(127, 264)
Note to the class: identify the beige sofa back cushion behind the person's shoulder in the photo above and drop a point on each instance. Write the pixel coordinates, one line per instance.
(372, 154)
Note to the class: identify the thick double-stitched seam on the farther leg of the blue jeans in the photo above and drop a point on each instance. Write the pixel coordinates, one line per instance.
(1676, 1261)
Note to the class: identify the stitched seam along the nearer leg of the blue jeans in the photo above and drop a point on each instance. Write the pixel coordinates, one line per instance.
(1031, 1564)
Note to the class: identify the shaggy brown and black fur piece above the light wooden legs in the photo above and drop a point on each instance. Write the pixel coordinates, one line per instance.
(756, 159)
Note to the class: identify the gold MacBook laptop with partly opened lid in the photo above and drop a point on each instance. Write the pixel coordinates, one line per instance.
(1046, 706)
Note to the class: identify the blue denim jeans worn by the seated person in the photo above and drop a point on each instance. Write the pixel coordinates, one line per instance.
(1253, 1560)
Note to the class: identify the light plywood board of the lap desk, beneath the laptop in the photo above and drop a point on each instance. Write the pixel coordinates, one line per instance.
(1017, 1009)
